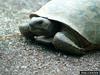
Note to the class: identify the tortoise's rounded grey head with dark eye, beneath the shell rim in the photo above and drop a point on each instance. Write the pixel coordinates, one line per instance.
(40, 26)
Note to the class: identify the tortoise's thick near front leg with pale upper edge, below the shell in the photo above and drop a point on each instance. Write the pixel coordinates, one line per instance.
(63, 43)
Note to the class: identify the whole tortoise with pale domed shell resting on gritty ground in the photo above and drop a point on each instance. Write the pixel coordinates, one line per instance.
(72, 26)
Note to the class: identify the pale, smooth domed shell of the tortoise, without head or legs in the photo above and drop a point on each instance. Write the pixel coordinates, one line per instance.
(81, 15)
